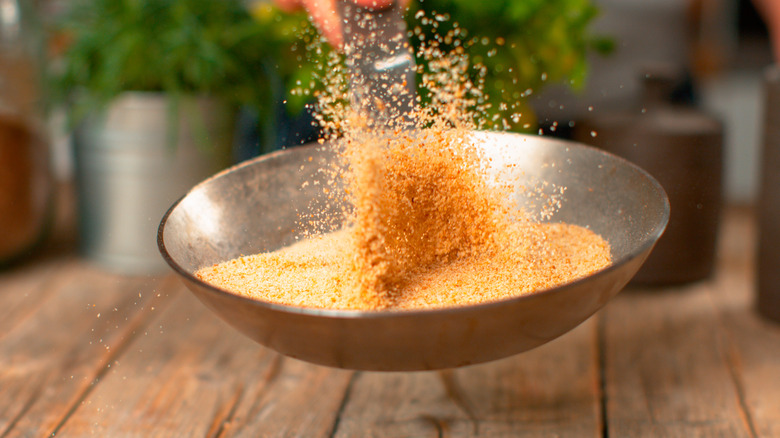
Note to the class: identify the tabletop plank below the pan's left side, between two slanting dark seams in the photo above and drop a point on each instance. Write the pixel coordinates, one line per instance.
(192, 375)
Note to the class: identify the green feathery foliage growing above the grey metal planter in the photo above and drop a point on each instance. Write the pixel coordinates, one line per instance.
(211, 47)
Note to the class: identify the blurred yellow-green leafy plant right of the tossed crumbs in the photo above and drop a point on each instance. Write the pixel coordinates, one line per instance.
(524, 45)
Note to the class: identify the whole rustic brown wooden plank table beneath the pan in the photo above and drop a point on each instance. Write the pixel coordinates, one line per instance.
(84, 352)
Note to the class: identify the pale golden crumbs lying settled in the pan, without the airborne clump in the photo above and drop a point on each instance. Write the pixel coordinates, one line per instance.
(319, 272)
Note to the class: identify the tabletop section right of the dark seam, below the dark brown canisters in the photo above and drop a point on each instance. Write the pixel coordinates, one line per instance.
(694, 360)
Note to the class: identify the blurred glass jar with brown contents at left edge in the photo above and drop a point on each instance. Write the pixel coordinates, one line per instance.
(25, 176)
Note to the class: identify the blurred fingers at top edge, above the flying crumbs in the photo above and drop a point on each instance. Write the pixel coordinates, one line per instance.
(324, 15)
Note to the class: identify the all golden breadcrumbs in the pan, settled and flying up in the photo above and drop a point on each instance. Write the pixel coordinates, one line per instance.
(427, 227)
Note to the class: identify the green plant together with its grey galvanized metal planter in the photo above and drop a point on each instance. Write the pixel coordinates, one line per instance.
(152, 88)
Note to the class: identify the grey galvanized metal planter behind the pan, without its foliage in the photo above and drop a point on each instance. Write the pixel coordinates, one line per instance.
(132, 161)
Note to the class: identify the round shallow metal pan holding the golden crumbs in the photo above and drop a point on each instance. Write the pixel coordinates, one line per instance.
(253, 207)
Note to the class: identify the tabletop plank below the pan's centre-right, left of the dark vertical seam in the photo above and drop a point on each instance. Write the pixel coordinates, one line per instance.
(550, 391)
